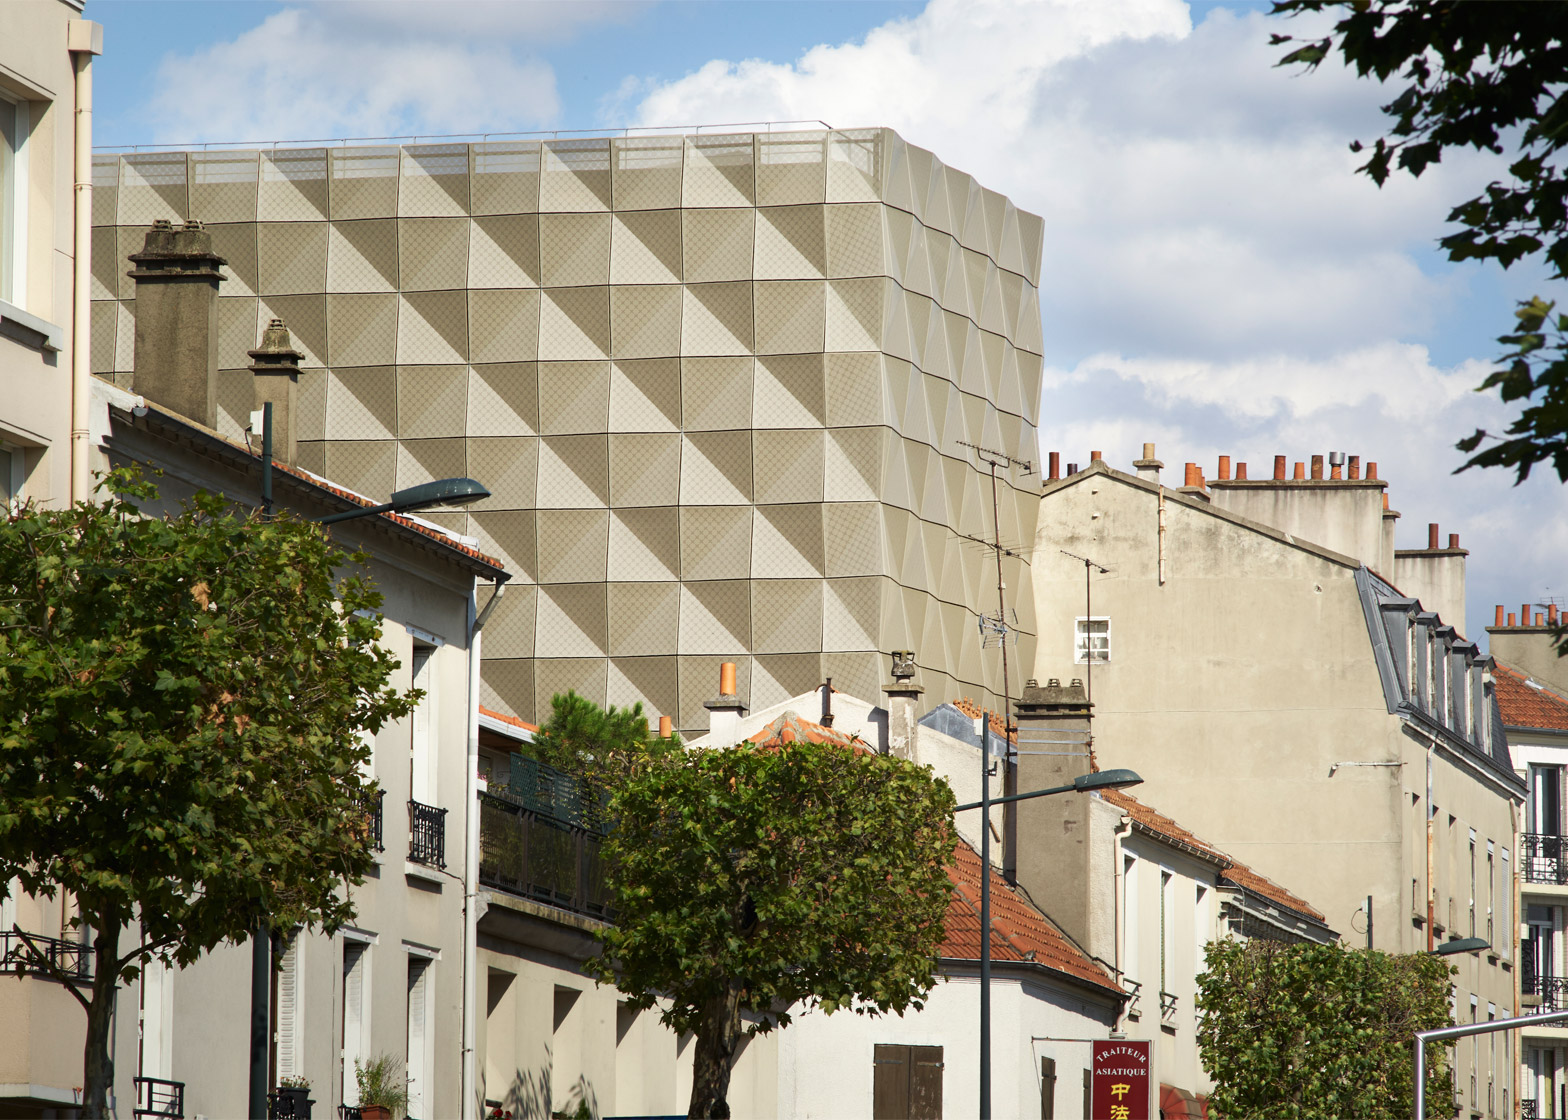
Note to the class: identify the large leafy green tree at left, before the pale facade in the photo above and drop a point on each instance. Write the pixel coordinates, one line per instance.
(181, 704)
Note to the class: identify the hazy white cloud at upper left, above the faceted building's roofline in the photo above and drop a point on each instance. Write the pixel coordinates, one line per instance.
(372, 70)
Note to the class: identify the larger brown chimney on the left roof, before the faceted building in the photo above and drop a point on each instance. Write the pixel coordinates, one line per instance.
(176, 358)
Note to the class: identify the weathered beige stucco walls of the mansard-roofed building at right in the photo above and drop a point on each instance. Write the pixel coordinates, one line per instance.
(1238, 686)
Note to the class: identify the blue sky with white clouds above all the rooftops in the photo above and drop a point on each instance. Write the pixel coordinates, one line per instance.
(1216, 277)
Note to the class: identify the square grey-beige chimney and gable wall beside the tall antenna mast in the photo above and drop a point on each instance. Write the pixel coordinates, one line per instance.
(1059, 835)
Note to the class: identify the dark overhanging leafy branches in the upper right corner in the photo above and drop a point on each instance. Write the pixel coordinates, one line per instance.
(1490, 78)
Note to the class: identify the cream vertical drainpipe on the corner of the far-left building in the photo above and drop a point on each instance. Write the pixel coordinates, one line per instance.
(84, 40)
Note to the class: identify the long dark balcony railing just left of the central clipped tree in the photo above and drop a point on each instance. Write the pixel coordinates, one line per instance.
(539, 857)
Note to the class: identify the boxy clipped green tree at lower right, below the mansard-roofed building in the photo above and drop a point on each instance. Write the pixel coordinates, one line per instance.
(1321, 1033)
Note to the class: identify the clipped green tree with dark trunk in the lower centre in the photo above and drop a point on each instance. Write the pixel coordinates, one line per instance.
(755, 879)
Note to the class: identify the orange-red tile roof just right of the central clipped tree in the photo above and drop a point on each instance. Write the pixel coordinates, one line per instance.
(1018, 931)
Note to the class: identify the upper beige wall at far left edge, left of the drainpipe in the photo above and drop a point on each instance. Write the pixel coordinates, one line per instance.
(35, 385)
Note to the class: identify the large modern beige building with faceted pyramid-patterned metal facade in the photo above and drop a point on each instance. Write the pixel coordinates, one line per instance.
(719, 387)
